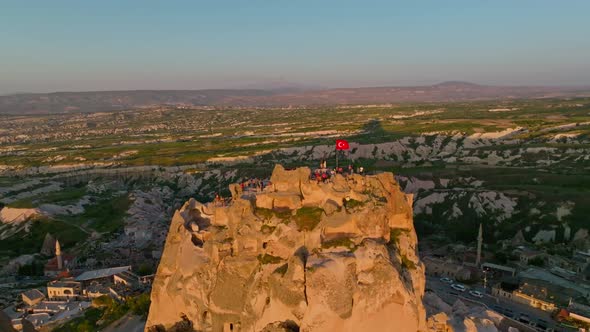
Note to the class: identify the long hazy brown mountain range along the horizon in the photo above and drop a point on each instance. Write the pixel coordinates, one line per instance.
(65, 102)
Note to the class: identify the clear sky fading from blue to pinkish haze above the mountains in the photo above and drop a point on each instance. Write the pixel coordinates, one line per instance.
(56, 45)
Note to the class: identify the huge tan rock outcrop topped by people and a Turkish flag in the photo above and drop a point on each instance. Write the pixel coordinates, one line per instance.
(297, 256)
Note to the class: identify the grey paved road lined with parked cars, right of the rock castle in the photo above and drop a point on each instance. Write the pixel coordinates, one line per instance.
(505, 307)
